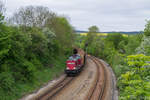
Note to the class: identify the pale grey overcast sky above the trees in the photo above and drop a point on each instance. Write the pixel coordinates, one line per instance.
(108, 15)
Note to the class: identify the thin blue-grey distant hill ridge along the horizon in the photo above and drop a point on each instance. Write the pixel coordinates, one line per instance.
(132, 32)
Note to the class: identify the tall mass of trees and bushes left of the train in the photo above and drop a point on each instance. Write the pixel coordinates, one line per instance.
(31, 42)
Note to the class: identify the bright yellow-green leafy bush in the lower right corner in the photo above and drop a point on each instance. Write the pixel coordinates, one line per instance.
(133, 80)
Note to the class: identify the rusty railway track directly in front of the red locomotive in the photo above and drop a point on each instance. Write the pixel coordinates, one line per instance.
(56, 89)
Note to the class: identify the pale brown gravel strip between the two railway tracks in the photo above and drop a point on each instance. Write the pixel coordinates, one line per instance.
(78, 88)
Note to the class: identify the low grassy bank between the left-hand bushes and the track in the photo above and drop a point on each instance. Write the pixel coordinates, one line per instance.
(43, 76)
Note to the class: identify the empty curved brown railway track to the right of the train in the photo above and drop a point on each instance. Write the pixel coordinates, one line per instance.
(98, 90)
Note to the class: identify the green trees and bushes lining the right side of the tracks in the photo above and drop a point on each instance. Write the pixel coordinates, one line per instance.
(129, 56)
